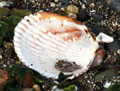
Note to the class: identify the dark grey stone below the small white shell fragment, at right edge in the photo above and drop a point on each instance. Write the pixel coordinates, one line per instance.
(114, 46)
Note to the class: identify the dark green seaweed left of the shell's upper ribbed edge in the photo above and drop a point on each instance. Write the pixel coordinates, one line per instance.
(9, 19)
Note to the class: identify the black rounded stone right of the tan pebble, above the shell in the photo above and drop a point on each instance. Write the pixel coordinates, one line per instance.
(83, 15)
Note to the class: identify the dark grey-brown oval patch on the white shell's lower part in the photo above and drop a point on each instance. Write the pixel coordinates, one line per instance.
(65, 66)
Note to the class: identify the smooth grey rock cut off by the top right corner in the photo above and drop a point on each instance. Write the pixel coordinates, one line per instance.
(114, 4)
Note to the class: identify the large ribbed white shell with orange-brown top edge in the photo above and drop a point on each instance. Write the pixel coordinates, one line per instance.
(51, 44)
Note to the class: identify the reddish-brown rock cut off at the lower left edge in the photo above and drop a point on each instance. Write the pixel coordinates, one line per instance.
(3, 78)
